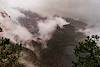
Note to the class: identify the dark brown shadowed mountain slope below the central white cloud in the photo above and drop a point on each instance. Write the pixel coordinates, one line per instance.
(60, 47)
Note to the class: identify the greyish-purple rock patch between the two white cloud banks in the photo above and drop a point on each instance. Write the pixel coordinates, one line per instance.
(30, 21)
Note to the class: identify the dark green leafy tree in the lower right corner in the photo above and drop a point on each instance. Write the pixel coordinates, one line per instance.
(87, 53)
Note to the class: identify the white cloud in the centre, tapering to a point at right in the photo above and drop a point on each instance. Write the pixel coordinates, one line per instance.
(48, 27)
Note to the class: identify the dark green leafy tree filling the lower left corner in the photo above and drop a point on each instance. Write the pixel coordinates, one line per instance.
(9, 53)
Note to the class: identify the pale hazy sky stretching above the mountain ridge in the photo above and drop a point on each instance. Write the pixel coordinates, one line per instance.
(86, 10)
